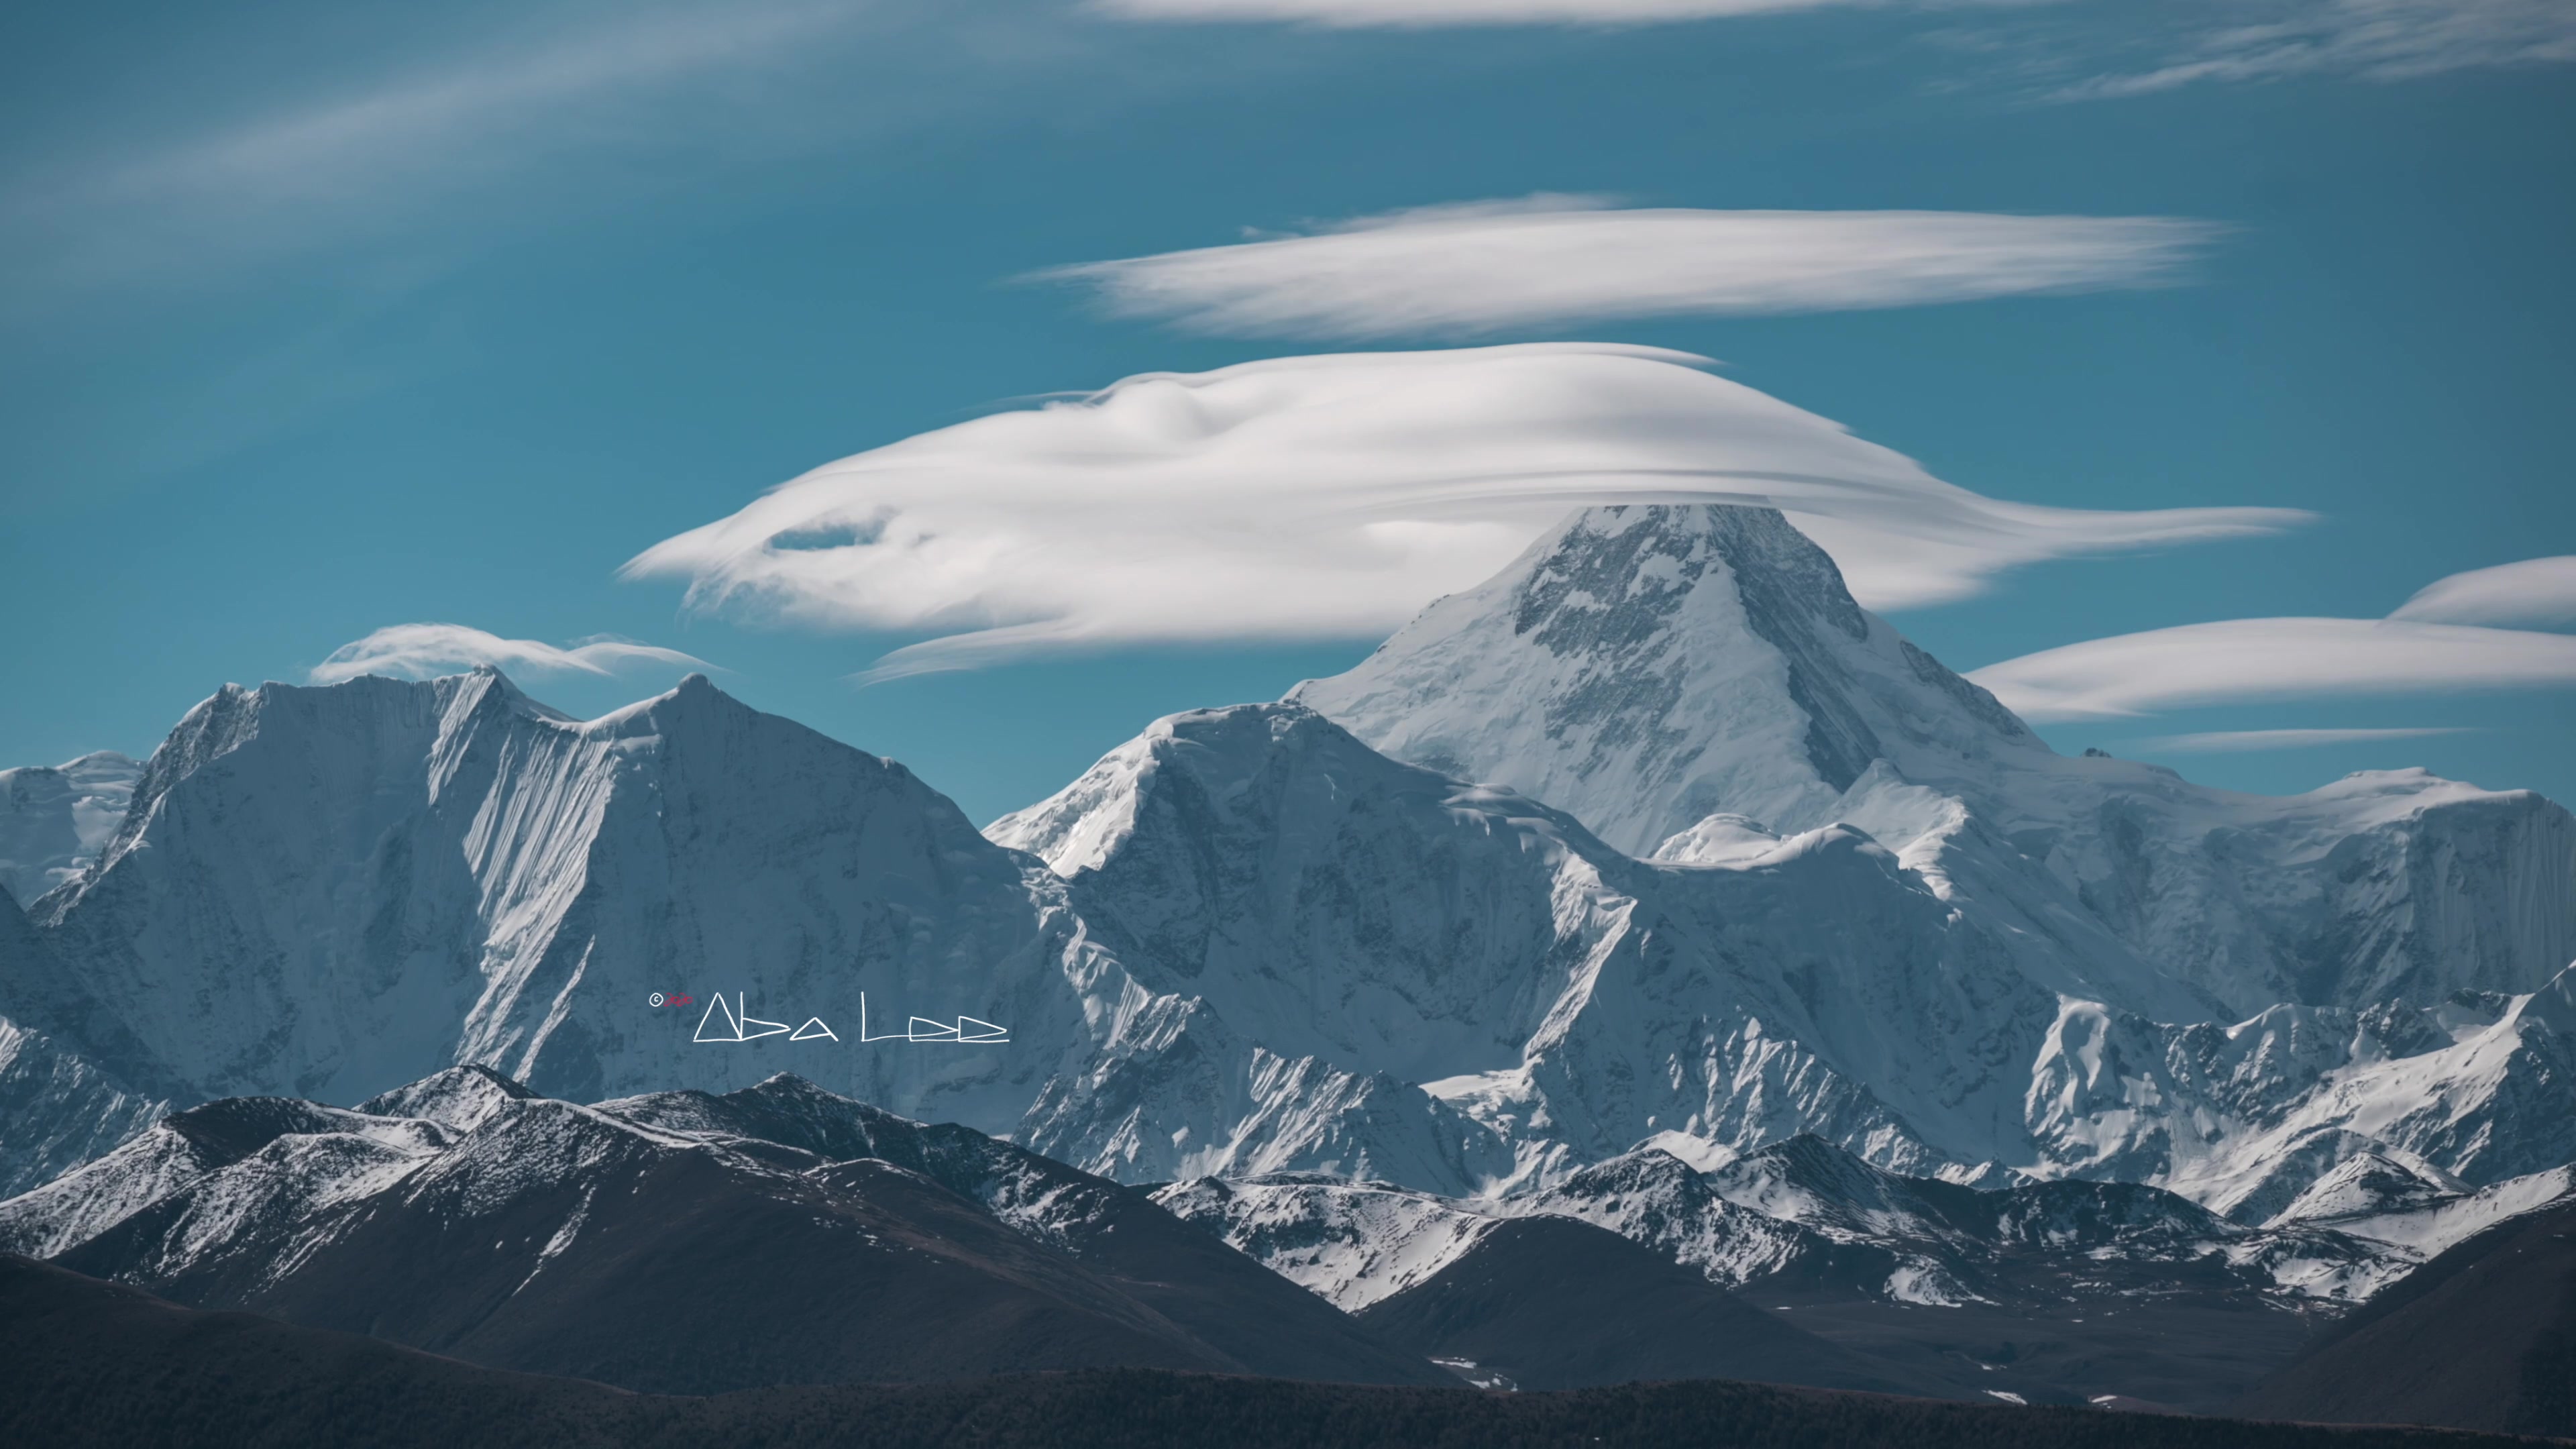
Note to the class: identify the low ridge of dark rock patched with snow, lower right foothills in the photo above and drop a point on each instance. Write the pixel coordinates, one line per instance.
(1812, 1213)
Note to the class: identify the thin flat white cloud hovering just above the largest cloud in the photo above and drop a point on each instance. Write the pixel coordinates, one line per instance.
(1560, 259)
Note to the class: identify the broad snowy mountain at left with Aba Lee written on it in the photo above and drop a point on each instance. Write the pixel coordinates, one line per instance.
(334, 891)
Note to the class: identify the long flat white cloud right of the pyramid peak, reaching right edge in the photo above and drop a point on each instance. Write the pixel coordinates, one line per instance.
(2240, 661)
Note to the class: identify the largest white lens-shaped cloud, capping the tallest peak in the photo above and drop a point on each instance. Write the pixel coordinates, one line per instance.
(1333, 496)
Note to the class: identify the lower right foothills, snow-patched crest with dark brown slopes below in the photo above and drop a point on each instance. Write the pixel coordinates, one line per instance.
(2057, 1293)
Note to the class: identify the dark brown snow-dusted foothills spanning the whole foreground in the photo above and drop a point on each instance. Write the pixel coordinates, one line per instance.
(782, 1234)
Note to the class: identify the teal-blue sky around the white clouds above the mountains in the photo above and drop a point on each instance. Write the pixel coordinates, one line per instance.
(331, 318)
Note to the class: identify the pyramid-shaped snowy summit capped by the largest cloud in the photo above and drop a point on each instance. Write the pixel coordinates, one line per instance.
(1647, 666)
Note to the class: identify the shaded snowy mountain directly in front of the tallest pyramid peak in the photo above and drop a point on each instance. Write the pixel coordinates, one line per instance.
(1557, 999)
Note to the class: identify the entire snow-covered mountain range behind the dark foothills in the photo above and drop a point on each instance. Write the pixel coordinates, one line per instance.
(1743, 865)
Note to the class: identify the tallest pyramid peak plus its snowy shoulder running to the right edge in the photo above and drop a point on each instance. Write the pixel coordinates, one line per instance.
(1647, 669)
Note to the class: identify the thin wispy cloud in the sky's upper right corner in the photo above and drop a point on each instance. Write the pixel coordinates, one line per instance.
(2369, 40)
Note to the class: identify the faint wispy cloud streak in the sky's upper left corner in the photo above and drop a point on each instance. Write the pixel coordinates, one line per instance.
(491, 120)
